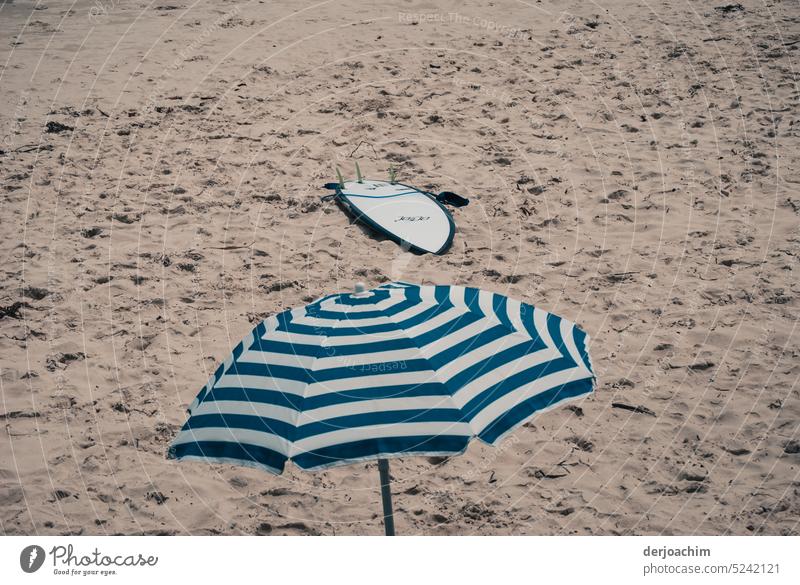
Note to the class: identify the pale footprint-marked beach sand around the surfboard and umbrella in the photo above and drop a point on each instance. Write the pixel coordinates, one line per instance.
(632, 167)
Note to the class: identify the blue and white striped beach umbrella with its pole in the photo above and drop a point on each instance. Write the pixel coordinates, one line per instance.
(396, 371)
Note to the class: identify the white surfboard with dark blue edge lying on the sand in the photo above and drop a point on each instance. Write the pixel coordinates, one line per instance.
(405, 214)
